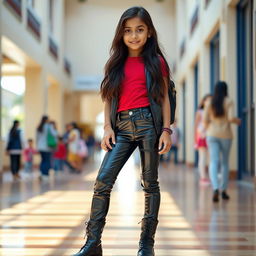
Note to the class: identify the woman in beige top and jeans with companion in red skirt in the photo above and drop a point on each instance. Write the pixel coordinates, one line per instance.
(213, 134)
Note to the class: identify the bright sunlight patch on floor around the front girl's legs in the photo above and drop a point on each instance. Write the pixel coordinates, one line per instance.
(53, 223)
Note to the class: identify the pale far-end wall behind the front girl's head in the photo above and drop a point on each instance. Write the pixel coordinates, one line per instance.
(91, 27)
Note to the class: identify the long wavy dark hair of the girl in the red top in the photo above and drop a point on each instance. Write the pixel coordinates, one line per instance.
(114, 68)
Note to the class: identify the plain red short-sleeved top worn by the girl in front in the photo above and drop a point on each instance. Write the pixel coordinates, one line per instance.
(134, 92)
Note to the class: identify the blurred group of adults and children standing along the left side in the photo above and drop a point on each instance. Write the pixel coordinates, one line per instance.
(56, 151)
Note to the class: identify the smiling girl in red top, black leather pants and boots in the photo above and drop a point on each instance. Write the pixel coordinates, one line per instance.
(134, 116)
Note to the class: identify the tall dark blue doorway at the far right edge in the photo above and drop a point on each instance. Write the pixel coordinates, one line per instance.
(246, 105)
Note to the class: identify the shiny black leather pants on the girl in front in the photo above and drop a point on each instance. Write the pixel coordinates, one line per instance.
(133, 128)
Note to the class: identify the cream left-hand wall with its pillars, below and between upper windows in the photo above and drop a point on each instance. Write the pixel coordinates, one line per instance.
(35, 61)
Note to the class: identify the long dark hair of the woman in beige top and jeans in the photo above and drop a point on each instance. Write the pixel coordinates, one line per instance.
(220, 93)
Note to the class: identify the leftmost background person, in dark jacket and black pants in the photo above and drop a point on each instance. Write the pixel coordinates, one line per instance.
(14, 147)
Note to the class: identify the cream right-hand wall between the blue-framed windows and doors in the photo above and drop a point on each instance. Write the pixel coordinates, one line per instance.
(219, 15)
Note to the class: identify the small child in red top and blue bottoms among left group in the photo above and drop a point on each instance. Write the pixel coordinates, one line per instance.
(60, 155)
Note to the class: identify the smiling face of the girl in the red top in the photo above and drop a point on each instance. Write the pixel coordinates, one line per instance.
(135, 35)
